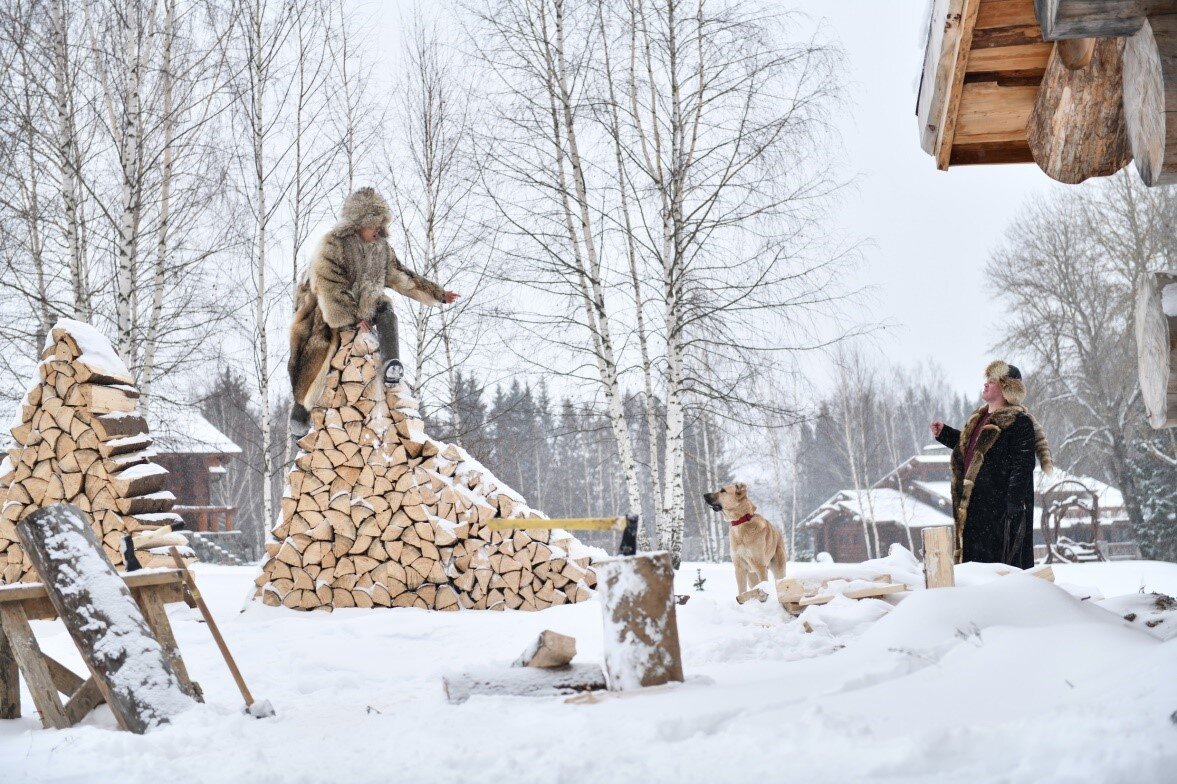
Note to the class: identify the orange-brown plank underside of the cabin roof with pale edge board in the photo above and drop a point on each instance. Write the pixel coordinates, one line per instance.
(983, 64)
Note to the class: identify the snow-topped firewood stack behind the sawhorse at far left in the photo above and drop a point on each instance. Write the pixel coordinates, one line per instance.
(79, 438)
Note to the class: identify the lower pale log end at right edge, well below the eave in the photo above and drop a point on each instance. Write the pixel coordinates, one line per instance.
(1156, 347)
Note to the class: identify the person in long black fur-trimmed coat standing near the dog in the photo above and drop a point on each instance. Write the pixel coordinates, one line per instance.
(993, 473)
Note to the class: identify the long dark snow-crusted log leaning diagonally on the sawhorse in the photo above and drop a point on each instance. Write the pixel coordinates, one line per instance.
(129, 665)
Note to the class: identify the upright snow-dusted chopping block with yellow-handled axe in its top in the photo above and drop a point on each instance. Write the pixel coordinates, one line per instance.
(641, 627)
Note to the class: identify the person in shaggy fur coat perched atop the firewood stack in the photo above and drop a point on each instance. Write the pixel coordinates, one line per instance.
(344, 289)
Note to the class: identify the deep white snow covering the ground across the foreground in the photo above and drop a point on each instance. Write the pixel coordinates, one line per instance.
(1001, 680)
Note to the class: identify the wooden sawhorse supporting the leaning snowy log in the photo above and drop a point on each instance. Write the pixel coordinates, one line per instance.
(46, 677)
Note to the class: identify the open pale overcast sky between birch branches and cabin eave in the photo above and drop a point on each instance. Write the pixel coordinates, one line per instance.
(932, 231)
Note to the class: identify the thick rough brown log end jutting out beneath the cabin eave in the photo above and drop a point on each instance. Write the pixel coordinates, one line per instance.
(1078, 128)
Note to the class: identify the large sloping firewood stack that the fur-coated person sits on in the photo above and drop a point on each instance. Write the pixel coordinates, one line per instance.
(376, 514)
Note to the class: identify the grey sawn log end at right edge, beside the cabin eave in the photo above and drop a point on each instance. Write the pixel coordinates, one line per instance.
(1151, 96)
